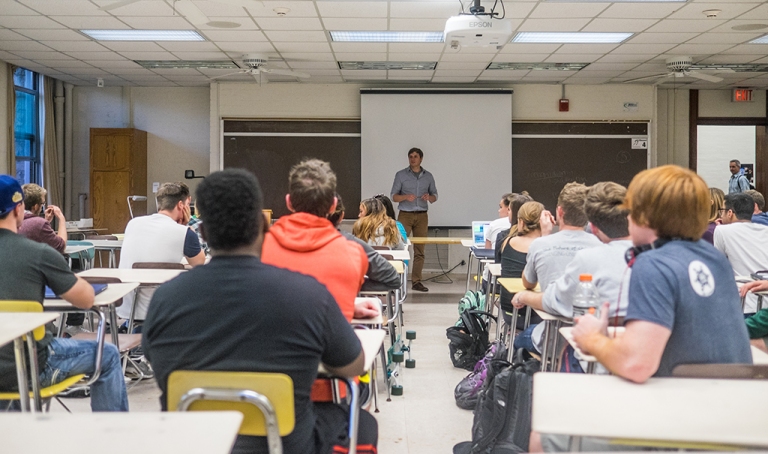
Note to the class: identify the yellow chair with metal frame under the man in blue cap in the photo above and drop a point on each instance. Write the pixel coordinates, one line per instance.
(50, 391)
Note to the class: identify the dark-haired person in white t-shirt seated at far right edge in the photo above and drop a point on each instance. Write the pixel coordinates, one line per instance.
(743, 242)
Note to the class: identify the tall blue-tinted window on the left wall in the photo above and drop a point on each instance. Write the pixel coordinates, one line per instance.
(27, 127)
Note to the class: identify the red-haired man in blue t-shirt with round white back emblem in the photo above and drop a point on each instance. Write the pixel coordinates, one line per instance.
(678, 282)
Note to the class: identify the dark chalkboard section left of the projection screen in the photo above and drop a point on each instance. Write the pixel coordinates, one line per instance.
(277, 146)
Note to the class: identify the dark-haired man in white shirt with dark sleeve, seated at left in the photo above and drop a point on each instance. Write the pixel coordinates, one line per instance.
(160, 237)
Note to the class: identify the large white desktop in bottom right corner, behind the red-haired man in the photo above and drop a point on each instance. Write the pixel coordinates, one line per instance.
(722, 414)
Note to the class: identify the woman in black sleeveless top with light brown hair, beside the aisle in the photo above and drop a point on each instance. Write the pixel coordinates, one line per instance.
(514, 248)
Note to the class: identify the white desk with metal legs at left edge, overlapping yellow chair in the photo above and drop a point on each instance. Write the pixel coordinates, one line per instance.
(13, 327)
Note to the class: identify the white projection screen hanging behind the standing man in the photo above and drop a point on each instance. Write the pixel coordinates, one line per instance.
(466, 139)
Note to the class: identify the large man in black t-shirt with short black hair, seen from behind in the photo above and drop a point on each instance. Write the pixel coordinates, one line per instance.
(246, 315)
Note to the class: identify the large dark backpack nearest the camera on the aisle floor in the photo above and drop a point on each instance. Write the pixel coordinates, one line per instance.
(502, 422)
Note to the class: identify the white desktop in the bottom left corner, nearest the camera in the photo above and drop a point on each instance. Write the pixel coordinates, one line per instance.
(160, 432)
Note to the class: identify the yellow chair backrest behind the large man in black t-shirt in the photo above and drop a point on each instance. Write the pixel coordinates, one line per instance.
(275, 387)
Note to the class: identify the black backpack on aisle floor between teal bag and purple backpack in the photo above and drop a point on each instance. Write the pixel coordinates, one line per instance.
(469, 339)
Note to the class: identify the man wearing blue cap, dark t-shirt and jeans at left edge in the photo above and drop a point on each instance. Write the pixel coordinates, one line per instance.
(26, 267)
